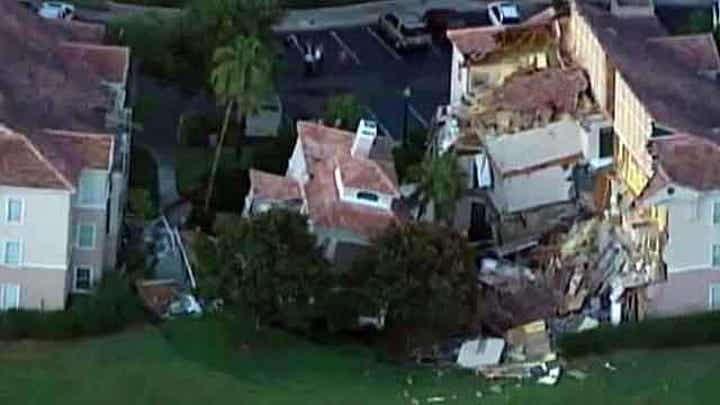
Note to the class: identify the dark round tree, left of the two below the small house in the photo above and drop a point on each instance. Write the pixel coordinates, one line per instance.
(268, 265)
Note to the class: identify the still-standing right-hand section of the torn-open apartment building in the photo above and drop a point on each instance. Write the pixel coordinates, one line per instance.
(659, 91)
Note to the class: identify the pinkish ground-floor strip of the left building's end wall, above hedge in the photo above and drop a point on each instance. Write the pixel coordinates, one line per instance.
(43, 289)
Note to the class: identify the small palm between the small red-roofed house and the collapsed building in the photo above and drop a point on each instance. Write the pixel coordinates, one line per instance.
(441, 181)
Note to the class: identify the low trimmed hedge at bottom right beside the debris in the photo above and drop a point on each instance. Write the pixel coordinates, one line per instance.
(696, 330)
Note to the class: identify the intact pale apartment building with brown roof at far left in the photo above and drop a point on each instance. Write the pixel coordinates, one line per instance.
(64, 157)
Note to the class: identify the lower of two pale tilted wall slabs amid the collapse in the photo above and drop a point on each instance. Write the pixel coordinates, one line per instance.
(525, 191)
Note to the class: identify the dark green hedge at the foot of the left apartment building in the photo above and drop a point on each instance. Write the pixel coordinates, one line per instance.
(111, 308)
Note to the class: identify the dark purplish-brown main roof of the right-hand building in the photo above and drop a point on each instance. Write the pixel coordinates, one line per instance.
(675, 95)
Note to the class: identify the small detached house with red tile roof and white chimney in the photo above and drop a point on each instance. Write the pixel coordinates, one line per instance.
(344, 182)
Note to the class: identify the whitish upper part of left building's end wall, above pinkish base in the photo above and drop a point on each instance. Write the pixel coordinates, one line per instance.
(45, 228)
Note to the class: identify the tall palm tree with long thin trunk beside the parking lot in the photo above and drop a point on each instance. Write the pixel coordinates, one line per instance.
(241, 78)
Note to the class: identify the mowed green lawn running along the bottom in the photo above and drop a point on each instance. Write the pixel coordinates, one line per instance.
(207, 362)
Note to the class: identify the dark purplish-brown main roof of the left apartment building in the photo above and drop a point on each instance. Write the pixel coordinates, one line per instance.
(40, 89)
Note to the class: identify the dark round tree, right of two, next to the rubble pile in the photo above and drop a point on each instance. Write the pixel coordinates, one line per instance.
(421, 274)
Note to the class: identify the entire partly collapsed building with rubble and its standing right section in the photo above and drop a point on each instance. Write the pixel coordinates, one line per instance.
(589, 147)
